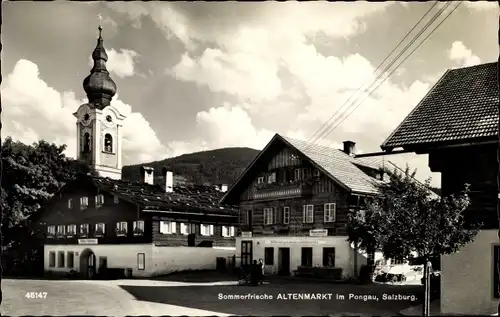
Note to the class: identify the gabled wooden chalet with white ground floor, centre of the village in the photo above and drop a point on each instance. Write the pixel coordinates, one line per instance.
(294, 200)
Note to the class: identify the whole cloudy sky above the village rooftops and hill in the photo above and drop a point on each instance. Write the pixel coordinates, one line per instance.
(198, 76)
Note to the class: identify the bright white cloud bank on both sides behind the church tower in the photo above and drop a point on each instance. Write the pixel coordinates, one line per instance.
(33, 110)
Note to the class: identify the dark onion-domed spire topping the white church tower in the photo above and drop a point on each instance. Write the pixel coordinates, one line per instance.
(99, 86)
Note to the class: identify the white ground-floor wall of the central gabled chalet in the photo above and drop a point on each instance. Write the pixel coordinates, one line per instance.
(344, 254)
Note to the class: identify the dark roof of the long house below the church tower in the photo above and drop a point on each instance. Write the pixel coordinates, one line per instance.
(196, 198)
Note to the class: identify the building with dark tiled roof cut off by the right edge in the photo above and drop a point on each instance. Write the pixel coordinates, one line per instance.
(456, 124)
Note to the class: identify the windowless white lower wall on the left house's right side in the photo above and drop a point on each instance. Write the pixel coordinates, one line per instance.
(172, 259)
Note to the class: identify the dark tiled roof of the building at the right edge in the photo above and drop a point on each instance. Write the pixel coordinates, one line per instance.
(462, 106)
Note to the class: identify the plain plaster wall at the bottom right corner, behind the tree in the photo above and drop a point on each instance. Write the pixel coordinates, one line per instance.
(467, 277)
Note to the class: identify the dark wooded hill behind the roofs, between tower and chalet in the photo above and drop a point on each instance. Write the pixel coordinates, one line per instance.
(220, 166)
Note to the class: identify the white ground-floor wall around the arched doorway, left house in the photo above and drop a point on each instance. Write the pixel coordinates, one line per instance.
(119, 256)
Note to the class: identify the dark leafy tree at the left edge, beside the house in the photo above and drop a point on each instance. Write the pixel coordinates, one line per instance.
(31, 174)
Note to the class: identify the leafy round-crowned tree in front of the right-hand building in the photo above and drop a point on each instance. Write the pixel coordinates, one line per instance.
(409, 221)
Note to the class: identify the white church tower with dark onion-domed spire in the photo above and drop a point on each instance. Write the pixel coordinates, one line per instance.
(98, 123)
